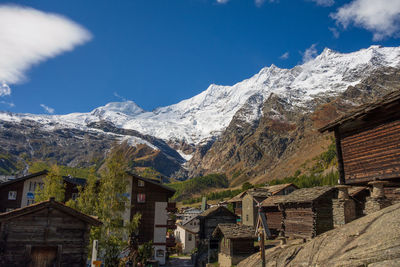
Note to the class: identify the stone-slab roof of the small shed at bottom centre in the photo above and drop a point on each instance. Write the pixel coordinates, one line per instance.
(234, 231)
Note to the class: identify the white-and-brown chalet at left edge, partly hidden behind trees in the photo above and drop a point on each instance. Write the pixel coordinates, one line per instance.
(20, 192)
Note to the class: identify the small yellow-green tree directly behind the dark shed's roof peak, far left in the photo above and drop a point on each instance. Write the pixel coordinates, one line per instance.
(53, 186)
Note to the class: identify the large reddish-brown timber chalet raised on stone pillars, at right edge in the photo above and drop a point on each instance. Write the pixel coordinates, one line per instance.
(368, 142)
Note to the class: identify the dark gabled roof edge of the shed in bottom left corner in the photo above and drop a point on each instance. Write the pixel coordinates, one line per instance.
(51, 203)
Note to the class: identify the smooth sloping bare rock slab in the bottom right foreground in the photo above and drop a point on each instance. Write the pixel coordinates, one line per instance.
(373, 240)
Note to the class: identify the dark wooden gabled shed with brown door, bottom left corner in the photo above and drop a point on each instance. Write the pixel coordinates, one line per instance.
(45, 234)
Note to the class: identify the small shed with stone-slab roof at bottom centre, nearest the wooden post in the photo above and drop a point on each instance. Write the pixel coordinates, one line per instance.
(236, 242)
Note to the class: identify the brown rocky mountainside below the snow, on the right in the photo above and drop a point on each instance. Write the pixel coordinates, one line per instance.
(284, 136)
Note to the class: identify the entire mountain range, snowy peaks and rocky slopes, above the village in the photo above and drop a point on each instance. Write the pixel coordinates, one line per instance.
(246, 130)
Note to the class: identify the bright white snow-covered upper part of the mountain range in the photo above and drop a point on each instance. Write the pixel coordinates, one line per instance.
(207, 114)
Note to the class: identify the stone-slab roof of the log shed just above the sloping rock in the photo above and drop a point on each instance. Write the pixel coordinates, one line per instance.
(305, 195)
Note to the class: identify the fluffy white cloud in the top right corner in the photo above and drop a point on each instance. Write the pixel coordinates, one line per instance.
(381, 17)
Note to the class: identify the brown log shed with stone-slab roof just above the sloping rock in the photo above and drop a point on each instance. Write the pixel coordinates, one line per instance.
(307, 212)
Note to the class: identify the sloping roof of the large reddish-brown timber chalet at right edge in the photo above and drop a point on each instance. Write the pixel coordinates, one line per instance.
(359, 111)
